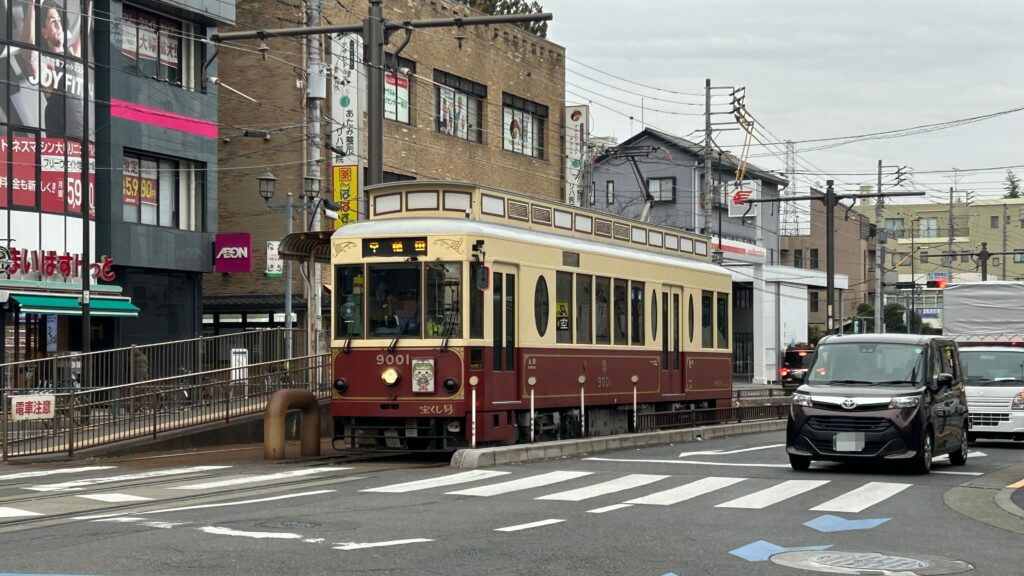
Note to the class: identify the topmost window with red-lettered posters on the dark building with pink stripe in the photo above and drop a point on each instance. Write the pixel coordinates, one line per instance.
(164, 49)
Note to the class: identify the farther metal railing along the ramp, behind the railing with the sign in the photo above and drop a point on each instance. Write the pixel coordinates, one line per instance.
(138, 363)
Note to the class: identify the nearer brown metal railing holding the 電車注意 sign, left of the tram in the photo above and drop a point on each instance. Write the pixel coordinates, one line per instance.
(98, 417)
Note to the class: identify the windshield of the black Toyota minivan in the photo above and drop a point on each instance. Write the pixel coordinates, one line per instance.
(867, 364)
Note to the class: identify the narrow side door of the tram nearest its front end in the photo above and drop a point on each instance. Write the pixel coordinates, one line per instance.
(503, 333)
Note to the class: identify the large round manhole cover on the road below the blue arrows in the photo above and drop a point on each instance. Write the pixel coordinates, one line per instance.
(837, 562)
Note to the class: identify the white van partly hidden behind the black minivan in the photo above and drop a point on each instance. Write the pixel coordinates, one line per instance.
(995, 380)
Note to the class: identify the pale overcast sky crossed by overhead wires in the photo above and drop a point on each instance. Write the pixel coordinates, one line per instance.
(813, 69)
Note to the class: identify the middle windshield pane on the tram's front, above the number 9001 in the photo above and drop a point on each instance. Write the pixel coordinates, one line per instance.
(395, 302)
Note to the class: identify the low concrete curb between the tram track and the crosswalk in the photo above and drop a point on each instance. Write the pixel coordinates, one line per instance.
(523, 455)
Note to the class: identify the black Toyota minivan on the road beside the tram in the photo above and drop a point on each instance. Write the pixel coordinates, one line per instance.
(880, 398)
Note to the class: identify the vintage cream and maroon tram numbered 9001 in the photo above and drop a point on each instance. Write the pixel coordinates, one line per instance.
(454, 292)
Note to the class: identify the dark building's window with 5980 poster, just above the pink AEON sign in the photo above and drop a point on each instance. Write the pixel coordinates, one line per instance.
(162, 192)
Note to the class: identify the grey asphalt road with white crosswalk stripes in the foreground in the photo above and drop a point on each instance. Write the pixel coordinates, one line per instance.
(721, 507)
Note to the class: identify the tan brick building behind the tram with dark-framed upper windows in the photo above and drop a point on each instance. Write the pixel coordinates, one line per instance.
(488, 74)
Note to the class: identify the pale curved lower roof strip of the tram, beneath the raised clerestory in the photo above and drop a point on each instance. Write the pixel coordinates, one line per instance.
(429, 226)
